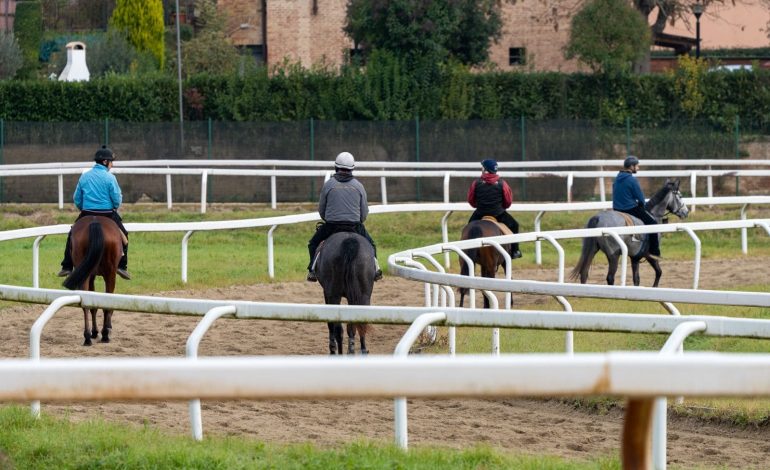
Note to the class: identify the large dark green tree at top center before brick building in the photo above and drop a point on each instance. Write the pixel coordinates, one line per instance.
(438, 29)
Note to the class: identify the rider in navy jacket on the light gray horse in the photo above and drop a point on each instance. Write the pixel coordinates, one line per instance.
(627, 196)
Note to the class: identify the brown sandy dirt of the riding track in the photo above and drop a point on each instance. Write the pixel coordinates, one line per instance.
(522, 425)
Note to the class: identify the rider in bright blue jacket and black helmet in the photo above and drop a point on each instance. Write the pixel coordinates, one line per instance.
(98, 193)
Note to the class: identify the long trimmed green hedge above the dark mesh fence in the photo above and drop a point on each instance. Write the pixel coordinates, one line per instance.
(384, 92)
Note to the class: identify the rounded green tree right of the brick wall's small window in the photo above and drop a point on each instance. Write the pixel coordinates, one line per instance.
(608, 35)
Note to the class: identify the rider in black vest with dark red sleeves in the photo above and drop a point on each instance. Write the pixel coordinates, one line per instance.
(491, 196)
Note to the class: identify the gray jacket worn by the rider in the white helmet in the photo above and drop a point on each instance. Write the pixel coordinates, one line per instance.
(343, 201)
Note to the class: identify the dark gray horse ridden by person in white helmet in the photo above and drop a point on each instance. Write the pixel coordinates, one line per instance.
(345, 268)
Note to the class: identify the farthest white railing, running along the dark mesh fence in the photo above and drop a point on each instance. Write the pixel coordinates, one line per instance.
(425, 170)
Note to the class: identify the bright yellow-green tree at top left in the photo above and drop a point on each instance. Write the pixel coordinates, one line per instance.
(142, 23)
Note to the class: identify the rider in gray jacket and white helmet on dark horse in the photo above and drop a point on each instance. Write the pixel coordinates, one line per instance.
(343, 208)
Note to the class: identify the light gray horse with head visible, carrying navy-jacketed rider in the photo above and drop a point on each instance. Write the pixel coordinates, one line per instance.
(667, 200)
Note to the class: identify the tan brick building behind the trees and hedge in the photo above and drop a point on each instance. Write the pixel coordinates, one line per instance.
(310, 32)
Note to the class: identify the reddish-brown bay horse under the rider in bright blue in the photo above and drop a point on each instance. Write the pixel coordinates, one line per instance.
(97, 245)
